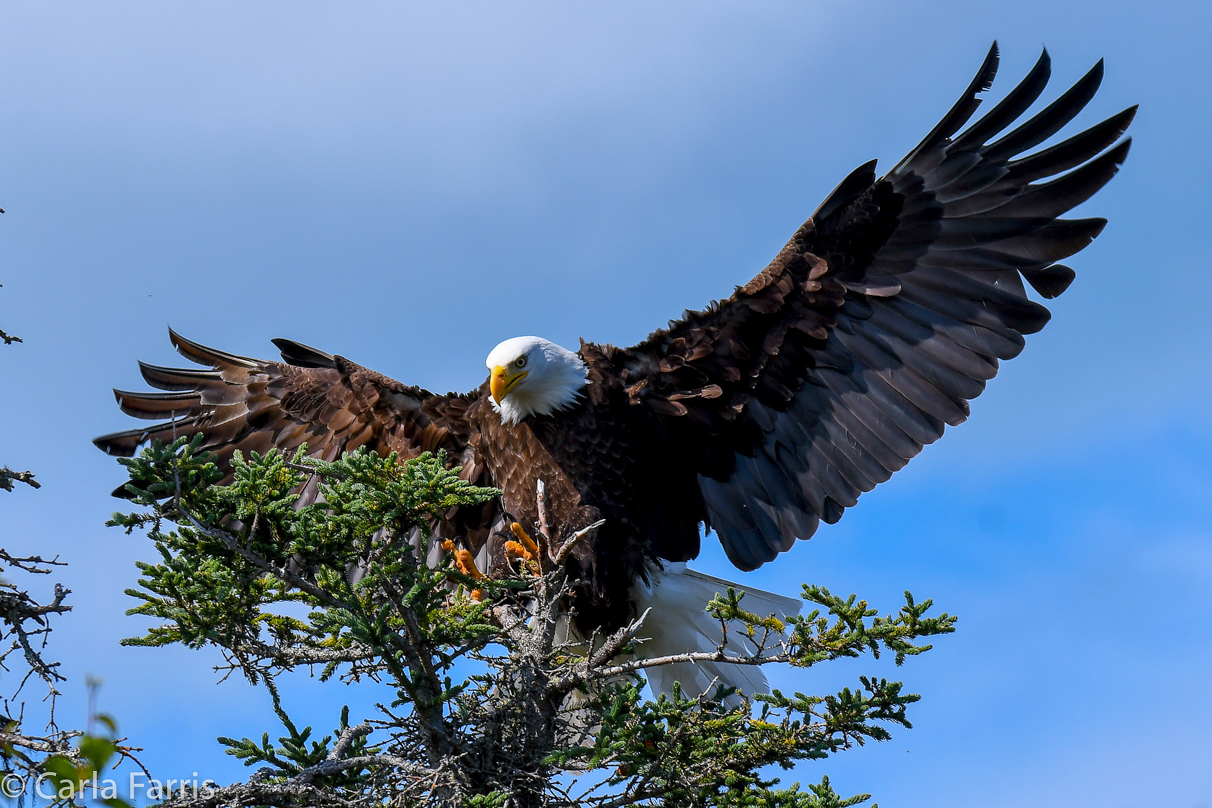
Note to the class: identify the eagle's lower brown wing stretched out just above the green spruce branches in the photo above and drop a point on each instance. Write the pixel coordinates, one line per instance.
(325, 402)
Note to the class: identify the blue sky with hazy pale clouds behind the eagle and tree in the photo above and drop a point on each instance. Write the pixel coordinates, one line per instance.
(410, 185)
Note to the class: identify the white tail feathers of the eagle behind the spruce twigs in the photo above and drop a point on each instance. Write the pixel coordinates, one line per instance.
(679, 623)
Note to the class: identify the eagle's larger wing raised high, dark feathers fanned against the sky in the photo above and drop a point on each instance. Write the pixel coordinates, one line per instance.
(884, 316)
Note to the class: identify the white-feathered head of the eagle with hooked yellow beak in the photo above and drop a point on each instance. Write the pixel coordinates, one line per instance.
(531, 376)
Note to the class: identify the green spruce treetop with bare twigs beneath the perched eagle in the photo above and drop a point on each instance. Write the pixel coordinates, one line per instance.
(490, 708)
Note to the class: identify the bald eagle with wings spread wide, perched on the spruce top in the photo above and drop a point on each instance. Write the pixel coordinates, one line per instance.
(759, 417)
